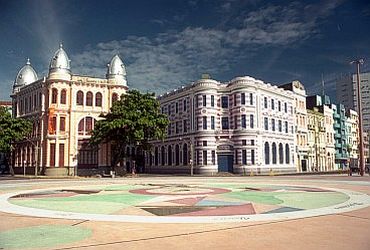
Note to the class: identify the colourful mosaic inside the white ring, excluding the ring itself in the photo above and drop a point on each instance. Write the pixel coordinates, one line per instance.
(212, 199)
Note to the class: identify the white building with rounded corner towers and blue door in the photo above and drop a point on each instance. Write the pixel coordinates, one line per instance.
(241, 126)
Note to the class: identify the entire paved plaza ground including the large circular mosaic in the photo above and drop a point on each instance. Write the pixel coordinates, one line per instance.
(330, 212)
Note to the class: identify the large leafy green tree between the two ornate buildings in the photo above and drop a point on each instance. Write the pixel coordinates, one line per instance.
(135, 120)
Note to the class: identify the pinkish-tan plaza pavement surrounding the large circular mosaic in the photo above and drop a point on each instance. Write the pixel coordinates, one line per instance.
(349, 230)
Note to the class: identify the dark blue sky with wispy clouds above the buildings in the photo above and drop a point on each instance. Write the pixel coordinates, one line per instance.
(166, 44)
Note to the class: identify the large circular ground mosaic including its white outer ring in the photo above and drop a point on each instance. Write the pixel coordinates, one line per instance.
(173, 203)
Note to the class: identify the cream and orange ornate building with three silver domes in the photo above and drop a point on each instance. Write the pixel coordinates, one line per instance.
(63, 108)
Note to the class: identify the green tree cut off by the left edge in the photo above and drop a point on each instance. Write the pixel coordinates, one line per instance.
(11, 131)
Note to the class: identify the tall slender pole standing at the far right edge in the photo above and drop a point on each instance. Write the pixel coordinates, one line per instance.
(358, 62)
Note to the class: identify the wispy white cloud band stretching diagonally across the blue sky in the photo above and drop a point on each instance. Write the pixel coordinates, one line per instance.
(173, 58)
